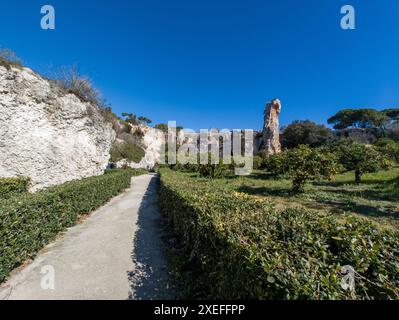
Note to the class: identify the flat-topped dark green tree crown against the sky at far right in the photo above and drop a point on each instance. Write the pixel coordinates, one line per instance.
(358, 118)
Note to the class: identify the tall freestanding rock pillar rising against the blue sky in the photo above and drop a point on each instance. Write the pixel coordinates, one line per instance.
(271, 133)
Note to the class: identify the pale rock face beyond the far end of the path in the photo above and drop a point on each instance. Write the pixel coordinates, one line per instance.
(152, 143)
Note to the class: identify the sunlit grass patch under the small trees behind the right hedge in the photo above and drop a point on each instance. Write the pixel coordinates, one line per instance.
(376, 198)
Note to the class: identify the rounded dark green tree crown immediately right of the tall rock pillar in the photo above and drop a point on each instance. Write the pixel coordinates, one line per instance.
(305, 132)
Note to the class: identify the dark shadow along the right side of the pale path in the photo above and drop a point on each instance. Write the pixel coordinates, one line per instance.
(149, 280)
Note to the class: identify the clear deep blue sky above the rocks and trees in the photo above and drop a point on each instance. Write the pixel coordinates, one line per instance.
(213, 63)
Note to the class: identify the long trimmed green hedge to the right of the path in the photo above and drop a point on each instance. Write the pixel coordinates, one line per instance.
(236, 246)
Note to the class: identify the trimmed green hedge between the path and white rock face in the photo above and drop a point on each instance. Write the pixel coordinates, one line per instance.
(30, 221)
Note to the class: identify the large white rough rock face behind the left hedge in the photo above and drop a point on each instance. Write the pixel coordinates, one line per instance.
(46, 135)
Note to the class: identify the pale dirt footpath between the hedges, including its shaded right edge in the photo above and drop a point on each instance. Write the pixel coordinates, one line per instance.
(117, 253)
